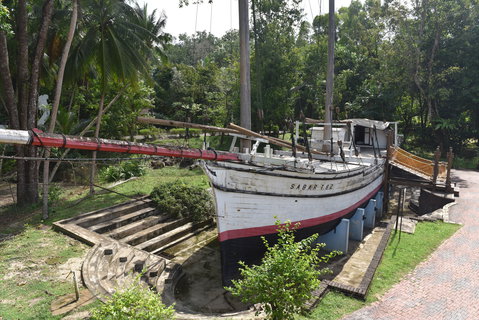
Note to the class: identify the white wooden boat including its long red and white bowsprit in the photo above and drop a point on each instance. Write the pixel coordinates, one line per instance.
(253, 190)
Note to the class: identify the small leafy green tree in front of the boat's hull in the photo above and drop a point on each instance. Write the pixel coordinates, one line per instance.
(286, 277)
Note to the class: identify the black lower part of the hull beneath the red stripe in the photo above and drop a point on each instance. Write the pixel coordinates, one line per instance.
(251, 250)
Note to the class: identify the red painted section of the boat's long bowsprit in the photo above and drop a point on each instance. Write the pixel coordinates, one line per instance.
(40, 138)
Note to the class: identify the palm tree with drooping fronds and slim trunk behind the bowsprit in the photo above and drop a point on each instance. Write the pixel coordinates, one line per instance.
(120, 40)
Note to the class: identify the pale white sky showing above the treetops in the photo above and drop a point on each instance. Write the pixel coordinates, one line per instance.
(220, 16)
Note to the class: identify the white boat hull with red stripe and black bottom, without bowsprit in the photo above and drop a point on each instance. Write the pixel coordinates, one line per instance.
(249, 199)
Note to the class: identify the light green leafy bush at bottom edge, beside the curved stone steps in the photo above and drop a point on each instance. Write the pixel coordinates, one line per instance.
(136, 302)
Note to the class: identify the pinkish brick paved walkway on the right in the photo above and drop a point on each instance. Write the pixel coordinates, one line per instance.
(446, 286)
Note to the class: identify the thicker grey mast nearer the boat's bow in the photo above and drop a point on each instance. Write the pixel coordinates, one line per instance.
(245, 89)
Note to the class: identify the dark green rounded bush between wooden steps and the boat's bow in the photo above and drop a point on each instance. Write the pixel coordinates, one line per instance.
(183, 201)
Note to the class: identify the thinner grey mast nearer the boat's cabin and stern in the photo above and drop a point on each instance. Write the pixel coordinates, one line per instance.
(328, 118)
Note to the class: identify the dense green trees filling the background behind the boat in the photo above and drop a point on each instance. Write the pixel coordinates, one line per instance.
(415, 63)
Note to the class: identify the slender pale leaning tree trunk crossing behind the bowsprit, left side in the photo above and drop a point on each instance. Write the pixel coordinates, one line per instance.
(56, 103)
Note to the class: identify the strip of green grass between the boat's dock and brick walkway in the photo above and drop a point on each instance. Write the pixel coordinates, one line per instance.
(401, 257)
